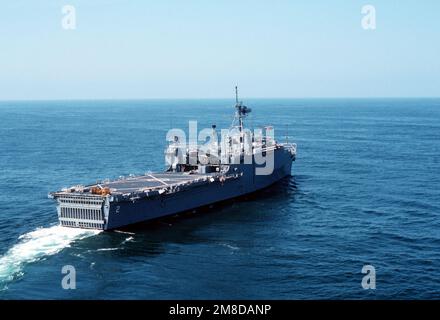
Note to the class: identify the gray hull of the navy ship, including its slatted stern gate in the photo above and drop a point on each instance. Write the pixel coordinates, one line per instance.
(82, 210)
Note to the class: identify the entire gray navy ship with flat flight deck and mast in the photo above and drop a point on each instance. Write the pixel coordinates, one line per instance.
(196, 176)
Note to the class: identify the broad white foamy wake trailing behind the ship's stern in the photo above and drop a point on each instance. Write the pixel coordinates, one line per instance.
(37, 245)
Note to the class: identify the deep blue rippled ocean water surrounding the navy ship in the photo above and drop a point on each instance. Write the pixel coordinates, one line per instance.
(365, 190)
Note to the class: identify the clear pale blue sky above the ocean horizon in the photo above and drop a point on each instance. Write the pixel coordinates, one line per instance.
(141, 49)
